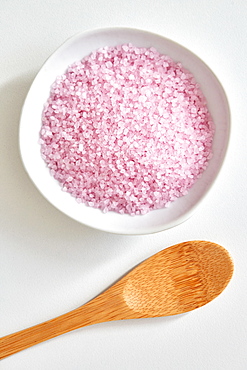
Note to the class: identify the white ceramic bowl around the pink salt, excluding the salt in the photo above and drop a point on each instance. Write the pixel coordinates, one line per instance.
(75, 49)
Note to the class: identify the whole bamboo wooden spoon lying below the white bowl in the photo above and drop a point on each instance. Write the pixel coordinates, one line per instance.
(178, 279)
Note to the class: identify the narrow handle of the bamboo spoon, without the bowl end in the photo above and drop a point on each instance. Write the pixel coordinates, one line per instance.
(100, 309)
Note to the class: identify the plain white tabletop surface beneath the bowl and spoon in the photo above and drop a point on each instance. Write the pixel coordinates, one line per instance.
(50, 264)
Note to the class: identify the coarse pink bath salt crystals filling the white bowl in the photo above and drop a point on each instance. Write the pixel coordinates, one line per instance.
(126, 129)
